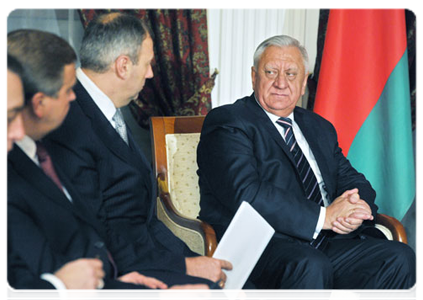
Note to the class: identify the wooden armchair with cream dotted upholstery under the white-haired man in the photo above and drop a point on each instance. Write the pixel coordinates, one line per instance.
(174, 145)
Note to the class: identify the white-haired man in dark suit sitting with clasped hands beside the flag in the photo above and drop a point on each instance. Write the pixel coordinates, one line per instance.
(285, 161)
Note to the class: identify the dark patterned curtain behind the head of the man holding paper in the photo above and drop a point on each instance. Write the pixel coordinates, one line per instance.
(181, 85)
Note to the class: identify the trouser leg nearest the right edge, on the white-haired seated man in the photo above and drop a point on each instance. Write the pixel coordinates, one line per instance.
(375, 268)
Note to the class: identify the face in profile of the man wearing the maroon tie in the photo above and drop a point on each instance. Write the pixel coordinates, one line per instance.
(57, 107)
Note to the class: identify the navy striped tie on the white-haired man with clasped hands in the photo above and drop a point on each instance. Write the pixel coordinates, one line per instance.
(307, 176)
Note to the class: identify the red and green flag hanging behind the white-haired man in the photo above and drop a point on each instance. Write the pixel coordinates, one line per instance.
(363, 90)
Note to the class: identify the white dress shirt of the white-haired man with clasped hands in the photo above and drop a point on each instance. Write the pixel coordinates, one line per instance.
(303, 144)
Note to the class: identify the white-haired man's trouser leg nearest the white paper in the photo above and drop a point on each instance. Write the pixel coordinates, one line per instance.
(290, 270)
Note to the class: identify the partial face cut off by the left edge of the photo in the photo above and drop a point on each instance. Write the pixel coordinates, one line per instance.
(14, 101)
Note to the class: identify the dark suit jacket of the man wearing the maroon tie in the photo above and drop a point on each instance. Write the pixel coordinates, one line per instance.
(45, 230)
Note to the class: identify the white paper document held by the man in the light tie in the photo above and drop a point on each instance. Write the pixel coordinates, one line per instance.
(242, 244)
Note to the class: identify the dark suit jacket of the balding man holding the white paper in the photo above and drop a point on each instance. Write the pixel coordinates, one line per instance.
(117, 180)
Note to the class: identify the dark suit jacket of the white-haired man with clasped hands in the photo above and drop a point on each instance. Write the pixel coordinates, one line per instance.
(242, 157)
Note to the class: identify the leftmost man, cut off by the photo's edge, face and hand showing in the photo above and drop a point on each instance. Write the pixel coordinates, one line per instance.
(76, 280)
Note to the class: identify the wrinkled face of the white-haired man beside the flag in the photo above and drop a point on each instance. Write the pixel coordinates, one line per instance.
(280, 79)
